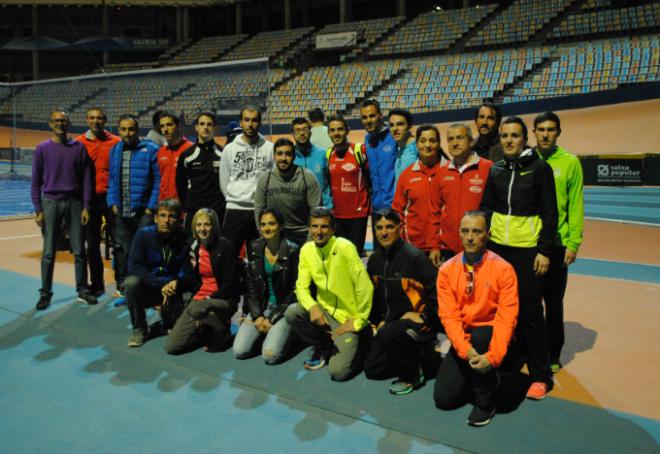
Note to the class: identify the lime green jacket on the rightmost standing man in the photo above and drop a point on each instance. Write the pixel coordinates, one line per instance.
(569, 184)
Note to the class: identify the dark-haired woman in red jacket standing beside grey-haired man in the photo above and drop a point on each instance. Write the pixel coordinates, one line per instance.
(411, 198)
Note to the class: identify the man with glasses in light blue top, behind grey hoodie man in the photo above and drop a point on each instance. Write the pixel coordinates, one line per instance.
(311, 157)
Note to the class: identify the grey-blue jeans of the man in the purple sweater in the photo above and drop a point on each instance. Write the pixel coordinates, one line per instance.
(55, 212)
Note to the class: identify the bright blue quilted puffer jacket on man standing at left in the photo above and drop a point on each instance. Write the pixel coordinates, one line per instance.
(144, 176)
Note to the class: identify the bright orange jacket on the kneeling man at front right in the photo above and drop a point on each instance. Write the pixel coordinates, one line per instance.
(492, 302)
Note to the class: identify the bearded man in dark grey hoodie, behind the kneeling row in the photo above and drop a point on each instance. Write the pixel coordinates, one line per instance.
(290, 189)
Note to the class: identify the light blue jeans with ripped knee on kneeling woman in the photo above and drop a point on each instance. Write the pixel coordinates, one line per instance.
(275, 341)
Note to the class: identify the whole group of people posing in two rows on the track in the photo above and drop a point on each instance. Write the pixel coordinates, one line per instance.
(471, 241)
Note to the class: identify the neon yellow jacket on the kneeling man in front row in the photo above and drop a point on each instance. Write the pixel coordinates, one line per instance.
(343, 287)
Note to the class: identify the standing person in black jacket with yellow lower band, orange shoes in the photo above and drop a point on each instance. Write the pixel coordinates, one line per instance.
(521, 200)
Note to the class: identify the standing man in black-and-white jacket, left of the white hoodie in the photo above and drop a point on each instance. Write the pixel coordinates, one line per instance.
(198, 173)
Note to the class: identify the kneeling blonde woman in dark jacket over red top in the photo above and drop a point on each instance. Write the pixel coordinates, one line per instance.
(212, 284)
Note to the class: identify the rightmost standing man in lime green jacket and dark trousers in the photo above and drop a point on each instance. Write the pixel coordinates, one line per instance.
(570, 204)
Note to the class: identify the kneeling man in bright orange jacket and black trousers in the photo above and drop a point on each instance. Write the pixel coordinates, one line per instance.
(478, 306)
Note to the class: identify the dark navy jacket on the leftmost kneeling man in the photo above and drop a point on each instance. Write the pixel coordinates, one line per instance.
(156, 261)
